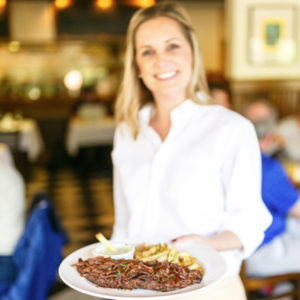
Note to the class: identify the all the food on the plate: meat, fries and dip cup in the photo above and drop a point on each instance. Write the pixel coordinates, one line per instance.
(156, 267)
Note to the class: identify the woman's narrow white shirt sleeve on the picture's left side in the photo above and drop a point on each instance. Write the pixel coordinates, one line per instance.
(120, 207)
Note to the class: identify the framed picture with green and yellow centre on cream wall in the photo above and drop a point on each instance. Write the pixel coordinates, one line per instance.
(272, 35)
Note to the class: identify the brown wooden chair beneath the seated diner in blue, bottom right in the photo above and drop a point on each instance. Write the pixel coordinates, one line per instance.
(255, 284)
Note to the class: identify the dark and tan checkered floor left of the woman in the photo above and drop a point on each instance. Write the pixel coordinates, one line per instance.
(83, 201)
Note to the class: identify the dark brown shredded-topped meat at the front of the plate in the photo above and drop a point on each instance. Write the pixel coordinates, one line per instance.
(136, 274)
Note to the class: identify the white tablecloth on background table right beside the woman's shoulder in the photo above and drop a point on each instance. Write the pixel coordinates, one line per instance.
(86, 133)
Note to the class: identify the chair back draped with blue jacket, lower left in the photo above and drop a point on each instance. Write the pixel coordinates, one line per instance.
(38, 253)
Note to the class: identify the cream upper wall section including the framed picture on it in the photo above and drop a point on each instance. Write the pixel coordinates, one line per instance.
(263, 40)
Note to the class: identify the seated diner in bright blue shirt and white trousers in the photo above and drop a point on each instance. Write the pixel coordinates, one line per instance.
(279, 252)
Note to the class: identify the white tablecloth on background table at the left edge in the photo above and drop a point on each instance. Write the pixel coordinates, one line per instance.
(30, 137)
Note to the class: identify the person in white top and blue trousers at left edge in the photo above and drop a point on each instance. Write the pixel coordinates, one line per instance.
(12, 218)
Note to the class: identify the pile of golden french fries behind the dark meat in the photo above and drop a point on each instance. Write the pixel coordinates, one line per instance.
(162, 252)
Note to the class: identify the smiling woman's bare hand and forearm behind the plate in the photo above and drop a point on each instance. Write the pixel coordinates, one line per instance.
(222, 241)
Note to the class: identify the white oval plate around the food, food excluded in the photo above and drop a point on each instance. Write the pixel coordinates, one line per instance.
(214, 264)
